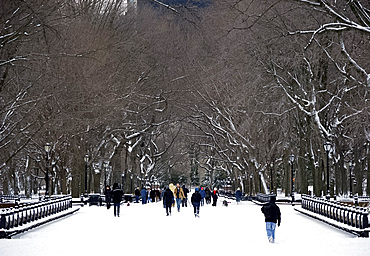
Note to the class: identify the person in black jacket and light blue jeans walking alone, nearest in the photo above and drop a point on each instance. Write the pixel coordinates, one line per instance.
(272, 216)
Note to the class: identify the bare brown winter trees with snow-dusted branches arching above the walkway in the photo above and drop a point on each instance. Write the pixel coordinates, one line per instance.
(156, 92)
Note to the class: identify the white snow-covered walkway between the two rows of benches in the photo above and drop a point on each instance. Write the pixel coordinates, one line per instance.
(145, 229)
